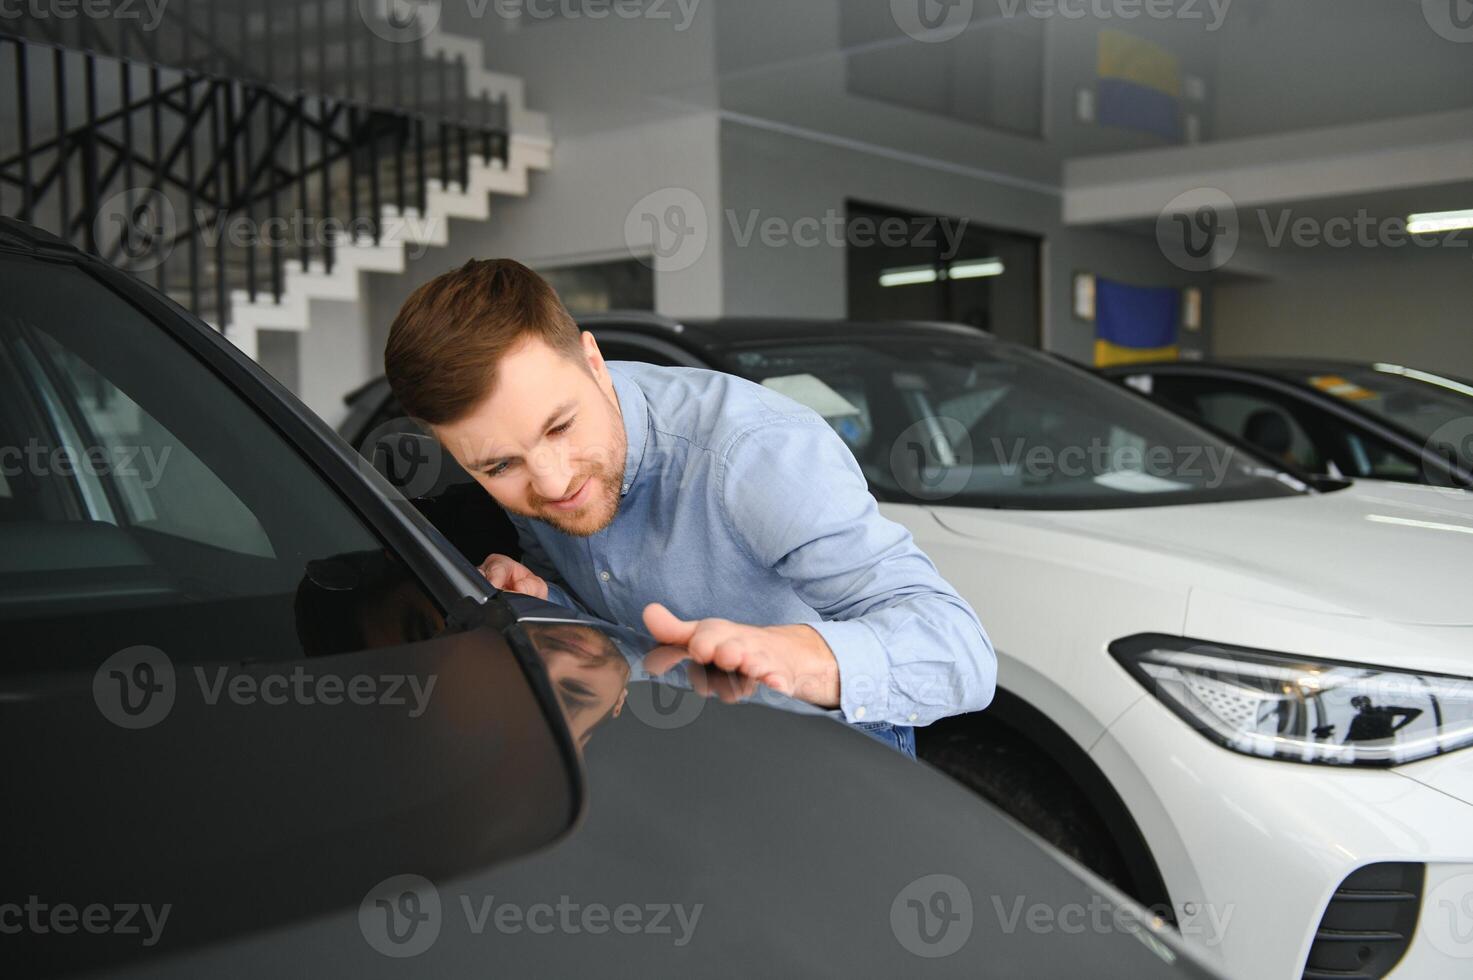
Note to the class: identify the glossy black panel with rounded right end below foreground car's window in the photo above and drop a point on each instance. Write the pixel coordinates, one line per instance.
(154, 807)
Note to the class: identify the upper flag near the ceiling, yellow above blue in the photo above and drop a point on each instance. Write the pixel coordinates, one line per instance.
(1139, 86)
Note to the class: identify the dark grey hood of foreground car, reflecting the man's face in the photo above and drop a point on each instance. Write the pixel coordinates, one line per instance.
(736, 841)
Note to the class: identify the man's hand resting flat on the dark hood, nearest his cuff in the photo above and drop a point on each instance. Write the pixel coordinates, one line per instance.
(792, 661)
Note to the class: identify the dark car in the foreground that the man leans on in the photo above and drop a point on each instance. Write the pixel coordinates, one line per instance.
(263, 720)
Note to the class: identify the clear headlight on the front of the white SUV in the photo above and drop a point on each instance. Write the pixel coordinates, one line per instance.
(1303, 710)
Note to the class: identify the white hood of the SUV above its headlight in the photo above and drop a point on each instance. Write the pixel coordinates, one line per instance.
(1390, 552)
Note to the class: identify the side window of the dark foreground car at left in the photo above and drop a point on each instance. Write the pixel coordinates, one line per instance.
(145, 503)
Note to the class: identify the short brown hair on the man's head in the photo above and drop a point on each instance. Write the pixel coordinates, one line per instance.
(447, 341)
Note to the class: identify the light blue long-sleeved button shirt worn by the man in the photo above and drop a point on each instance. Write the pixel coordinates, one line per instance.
(740, 503)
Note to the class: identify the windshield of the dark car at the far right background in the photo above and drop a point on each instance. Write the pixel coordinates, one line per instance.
(1432, 407)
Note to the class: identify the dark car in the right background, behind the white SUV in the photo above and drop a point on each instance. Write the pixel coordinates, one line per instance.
(1340, 419)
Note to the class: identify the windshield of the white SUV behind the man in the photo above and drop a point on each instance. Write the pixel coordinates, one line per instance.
(989, 425)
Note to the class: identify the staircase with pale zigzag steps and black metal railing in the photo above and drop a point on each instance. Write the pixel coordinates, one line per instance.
(253, 158)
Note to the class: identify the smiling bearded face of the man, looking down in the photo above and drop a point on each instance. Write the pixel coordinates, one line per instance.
(550, 441)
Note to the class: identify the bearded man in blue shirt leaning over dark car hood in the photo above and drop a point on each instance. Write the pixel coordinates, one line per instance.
(727, 519)
